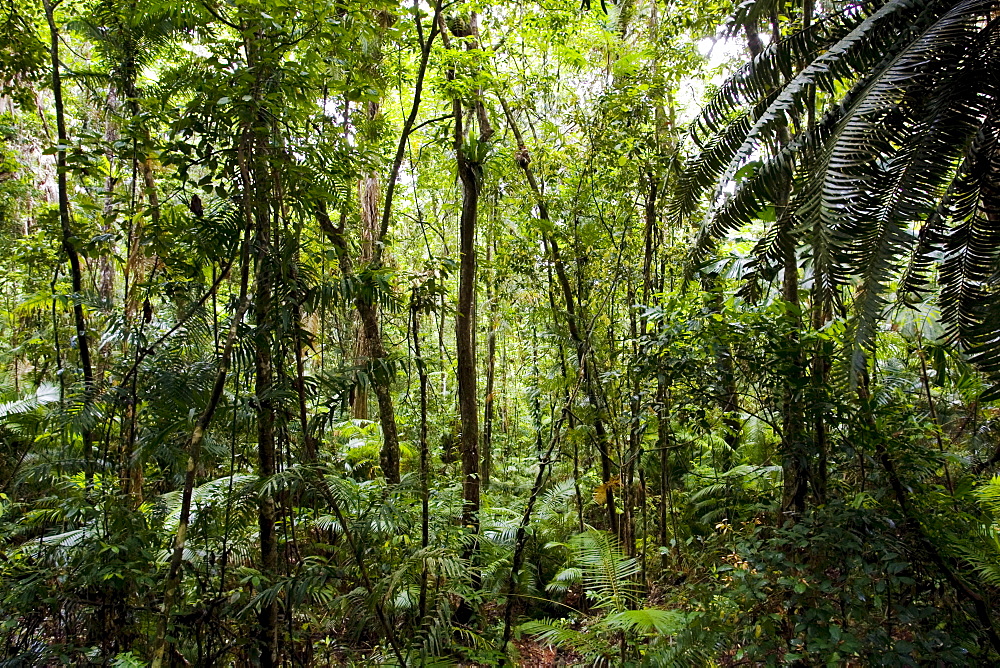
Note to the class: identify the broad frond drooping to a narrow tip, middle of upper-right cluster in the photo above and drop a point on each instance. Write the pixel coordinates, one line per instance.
(891, 164)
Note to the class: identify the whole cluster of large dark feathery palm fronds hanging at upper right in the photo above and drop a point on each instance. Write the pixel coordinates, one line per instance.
(891, 169)
